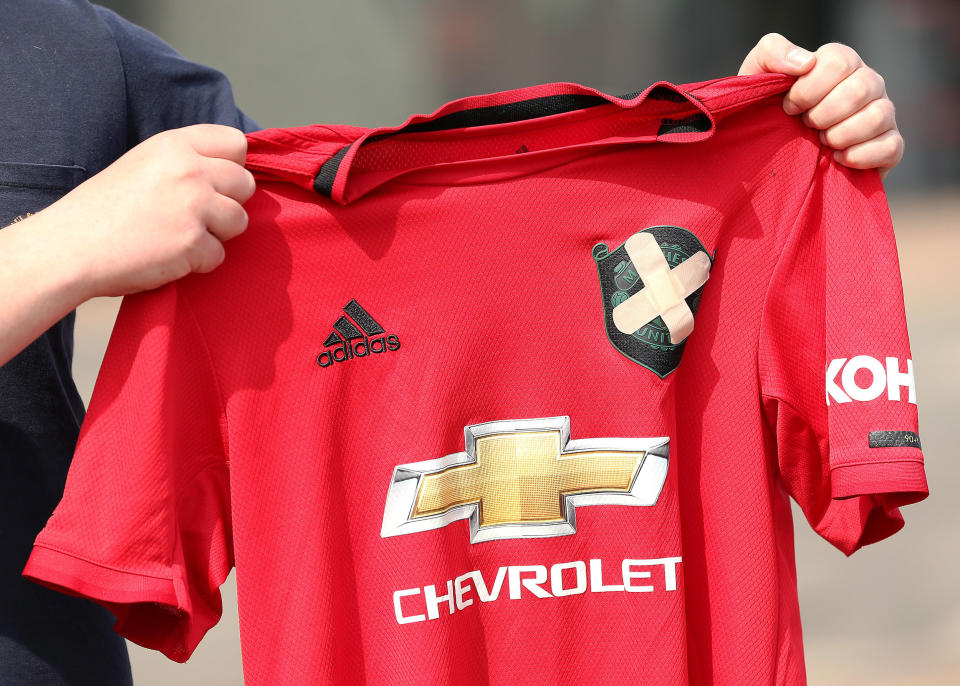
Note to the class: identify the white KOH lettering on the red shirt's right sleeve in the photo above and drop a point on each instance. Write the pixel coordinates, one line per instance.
(882, 377)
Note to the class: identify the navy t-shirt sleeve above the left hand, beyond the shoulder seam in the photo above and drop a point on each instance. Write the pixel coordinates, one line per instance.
(164, 89)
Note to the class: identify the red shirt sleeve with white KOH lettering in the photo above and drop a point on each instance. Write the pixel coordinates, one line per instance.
(836, 374)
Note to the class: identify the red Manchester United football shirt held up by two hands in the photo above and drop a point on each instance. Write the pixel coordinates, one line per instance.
(515, 393)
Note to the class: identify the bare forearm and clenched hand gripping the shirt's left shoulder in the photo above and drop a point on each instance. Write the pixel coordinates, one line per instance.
(158, 213)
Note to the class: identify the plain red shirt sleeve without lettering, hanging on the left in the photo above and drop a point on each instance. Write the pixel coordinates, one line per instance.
(144, 524)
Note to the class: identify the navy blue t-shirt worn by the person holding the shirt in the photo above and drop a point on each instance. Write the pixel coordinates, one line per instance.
(80, 87)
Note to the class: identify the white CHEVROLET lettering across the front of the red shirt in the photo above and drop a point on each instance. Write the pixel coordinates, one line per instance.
(528, 581)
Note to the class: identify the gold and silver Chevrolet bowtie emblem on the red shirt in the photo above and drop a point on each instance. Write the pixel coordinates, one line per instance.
(523, 478)
